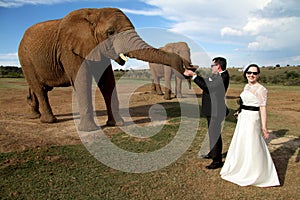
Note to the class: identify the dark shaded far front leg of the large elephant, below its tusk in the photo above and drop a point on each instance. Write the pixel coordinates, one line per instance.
(107, 86)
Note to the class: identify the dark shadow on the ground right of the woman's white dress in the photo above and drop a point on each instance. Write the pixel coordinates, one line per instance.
(283, 154)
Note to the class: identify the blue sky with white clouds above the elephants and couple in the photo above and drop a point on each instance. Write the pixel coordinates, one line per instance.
(265, 32)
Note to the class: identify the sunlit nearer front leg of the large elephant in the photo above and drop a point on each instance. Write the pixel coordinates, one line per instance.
(83, 92)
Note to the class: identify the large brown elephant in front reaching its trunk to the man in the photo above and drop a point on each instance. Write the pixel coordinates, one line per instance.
(52, 53)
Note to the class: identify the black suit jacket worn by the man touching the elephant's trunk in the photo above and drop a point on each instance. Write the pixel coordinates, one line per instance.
(213, 96)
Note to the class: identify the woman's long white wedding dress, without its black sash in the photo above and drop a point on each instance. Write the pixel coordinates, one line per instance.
(248, 160)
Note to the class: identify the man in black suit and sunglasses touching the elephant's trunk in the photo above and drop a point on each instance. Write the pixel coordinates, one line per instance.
(213, 106)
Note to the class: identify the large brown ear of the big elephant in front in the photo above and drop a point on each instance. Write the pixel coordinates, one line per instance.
(76, 32)
